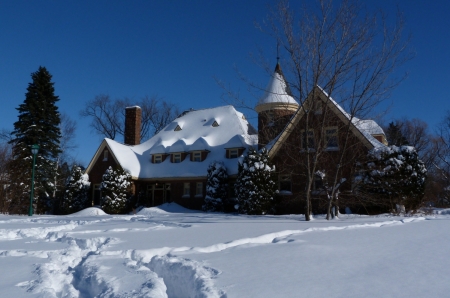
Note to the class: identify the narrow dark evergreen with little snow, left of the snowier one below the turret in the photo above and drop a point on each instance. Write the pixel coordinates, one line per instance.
(216, 187)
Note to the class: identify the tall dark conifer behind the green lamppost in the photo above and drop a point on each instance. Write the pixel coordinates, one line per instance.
(38, 123)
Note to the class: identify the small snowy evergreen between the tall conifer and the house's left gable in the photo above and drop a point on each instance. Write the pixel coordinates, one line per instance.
(76, 191)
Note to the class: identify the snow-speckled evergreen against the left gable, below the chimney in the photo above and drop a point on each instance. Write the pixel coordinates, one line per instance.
(115, 190)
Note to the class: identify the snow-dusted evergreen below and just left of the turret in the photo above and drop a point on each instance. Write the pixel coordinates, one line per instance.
(255, 185)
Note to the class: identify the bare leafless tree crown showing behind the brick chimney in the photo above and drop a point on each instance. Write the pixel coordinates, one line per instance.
(108, 116)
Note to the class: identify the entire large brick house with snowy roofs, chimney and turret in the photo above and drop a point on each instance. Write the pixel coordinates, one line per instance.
(172, 165)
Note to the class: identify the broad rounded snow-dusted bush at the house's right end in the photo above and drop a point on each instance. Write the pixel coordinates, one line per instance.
(394, 176)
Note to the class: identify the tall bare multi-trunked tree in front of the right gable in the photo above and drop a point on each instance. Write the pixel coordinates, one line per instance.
(351, 53)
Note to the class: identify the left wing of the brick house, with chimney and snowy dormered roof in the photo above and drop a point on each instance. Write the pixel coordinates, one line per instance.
(172, 165)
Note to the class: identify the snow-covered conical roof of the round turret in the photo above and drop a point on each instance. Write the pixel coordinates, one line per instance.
(277, 90)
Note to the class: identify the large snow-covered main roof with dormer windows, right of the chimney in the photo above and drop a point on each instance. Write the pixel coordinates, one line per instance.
(197, 133)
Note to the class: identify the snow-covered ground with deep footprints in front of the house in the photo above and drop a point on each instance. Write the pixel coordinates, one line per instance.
(173, 252)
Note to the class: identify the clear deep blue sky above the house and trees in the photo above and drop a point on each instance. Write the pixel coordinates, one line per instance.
(175, 49)
